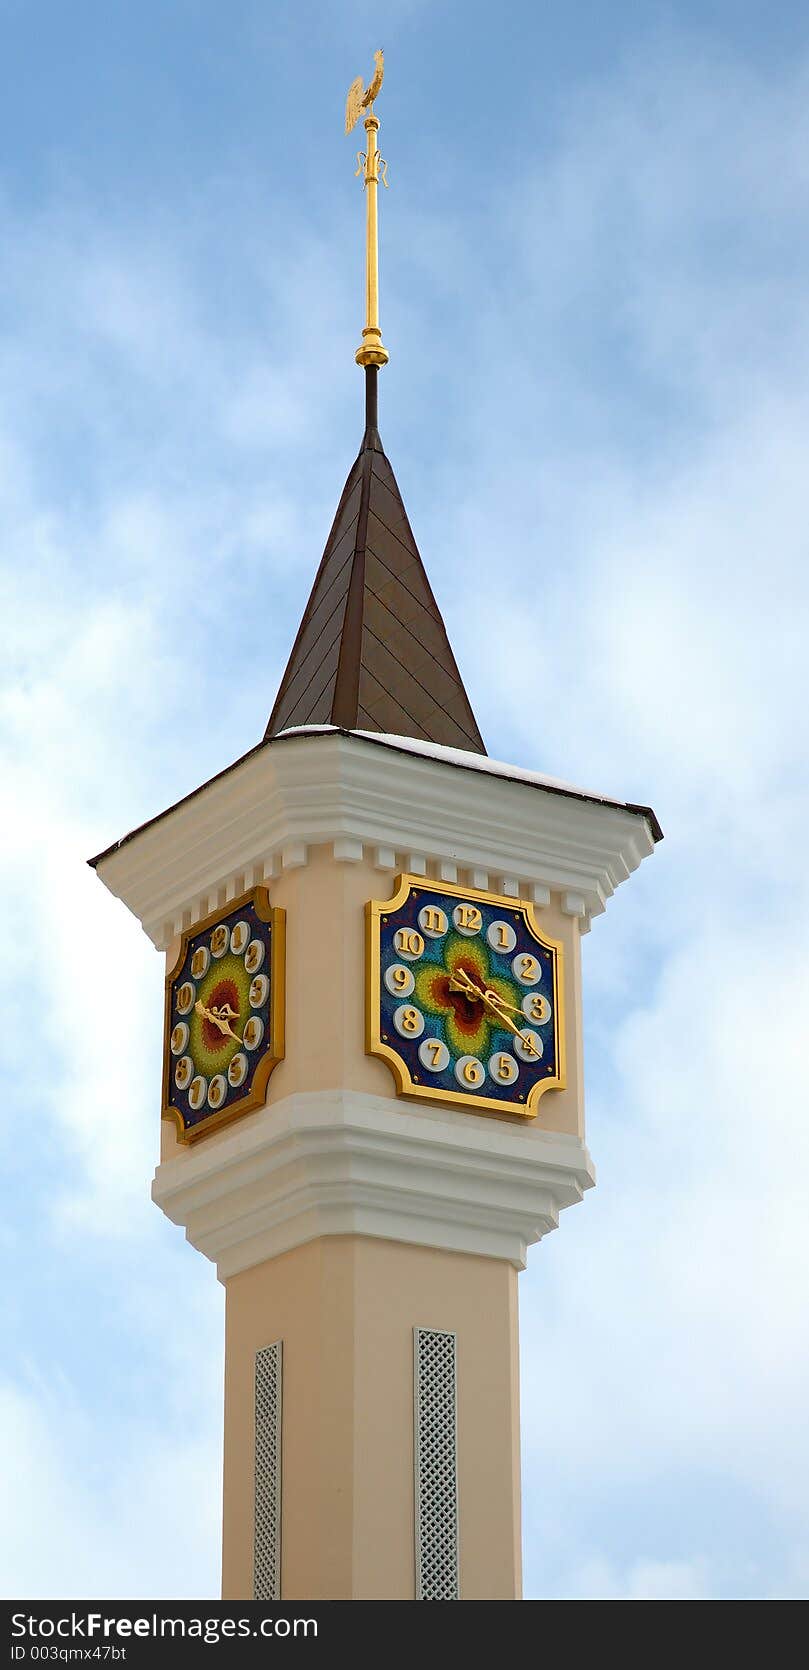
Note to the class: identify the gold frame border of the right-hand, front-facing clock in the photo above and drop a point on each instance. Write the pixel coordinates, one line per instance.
(375, 1046)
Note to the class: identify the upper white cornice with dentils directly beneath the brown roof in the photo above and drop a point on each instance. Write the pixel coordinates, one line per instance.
(345, 791)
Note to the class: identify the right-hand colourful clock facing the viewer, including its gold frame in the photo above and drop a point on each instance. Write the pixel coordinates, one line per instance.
(466, 998)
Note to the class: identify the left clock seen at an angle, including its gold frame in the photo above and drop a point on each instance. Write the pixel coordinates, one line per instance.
(225, 1016)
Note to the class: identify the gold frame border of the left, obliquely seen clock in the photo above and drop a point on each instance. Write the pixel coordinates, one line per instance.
(260, 899)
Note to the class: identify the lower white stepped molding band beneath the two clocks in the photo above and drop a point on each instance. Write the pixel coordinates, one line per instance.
(338, 1163)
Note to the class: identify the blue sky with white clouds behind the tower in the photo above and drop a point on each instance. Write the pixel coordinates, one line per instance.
(594, 295)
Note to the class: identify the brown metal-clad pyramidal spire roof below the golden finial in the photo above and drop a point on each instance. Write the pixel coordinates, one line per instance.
(372, 650)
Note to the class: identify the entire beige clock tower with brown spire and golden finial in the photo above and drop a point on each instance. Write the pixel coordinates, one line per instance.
(374, 1083)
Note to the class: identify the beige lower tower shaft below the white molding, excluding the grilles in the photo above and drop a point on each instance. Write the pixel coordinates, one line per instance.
(345, 1308)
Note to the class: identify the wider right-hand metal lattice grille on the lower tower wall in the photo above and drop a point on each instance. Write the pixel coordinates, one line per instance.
(437, 1467)
